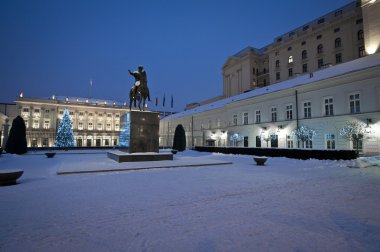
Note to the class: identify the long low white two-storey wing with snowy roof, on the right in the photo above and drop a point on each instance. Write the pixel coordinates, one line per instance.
(324, 101)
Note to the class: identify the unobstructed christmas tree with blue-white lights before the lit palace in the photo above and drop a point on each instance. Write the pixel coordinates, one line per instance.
(65, 134)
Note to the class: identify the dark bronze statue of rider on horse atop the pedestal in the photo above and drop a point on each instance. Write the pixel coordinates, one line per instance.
(139, 91)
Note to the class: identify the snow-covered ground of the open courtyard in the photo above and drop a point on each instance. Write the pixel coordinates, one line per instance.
(286, 205)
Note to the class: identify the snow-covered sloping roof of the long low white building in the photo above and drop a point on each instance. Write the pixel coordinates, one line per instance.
(338, 70)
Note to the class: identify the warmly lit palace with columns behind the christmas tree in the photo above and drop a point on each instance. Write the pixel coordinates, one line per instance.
(95, 122)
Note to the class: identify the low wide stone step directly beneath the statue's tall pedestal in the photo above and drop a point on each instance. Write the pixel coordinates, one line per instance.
(121, 157)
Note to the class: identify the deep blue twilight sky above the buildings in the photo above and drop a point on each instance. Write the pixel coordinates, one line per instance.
(55, 47)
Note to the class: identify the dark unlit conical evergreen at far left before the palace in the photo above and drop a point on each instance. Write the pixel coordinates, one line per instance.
(16, 142)
